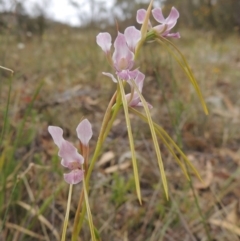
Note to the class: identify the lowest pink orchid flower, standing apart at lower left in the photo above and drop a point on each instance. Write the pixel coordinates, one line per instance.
(71, 159)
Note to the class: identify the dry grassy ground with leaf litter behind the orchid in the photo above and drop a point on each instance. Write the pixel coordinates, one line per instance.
(68, 65)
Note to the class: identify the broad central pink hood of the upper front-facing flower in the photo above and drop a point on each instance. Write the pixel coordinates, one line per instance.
(122, 56)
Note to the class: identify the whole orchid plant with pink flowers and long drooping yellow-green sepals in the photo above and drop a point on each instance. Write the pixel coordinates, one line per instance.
(125, 71)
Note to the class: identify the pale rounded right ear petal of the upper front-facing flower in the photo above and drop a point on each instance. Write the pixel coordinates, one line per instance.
(132, 36)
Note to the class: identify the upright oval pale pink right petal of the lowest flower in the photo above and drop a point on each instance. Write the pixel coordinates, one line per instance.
(84, 131)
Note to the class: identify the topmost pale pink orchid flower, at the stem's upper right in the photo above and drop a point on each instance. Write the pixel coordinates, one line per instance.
(165, 25)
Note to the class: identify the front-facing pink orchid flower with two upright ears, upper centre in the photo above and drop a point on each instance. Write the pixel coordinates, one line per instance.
(124, 47)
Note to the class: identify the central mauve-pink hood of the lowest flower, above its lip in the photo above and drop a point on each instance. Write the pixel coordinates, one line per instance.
(69, 154)
